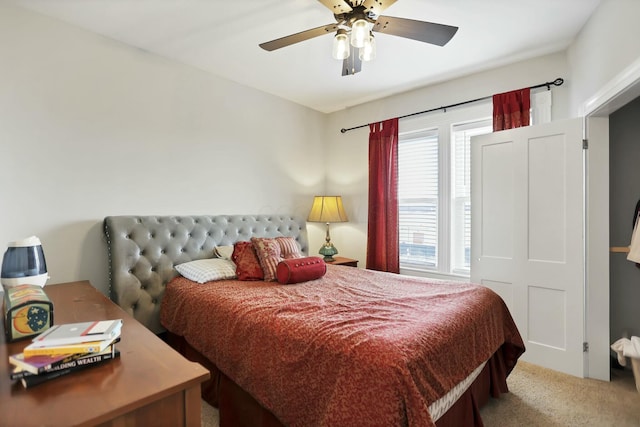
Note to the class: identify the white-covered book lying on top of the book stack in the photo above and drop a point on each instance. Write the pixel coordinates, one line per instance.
(73, 333)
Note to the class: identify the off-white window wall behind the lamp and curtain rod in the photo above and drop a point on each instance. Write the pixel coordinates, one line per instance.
(347, 154)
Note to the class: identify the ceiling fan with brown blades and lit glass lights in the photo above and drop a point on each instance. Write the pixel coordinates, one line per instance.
(356, 21)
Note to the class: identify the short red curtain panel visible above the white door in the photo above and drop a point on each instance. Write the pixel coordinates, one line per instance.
(511, 109)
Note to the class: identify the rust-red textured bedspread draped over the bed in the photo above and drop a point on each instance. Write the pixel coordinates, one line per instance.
(356, 347)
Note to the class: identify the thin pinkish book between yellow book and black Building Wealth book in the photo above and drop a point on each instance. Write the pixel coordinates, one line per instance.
(36, 365)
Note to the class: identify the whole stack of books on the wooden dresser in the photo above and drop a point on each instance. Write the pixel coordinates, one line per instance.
(64, 349)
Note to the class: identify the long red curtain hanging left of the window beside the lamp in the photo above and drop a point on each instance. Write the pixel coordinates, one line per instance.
(383, 251)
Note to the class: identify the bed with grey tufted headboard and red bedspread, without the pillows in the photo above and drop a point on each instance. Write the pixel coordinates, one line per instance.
(352, 347)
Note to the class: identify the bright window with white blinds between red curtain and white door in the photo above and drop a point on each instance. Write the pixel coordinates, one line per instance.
(434, 192)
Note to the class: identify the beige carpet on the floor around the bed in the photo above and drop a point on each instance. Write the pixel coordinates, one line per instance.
(542, 397)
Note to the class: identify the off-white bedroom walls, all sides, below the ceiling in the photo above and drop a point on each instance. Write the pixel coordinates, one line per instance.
(98, 128)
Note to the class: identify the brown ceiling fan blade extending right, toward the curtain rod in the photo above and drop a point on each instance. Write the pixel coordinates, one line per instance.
(428, 32)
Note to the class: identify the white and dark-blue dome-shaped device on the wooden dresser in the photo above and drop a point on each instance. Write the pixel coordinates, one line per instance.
(24, 264)
